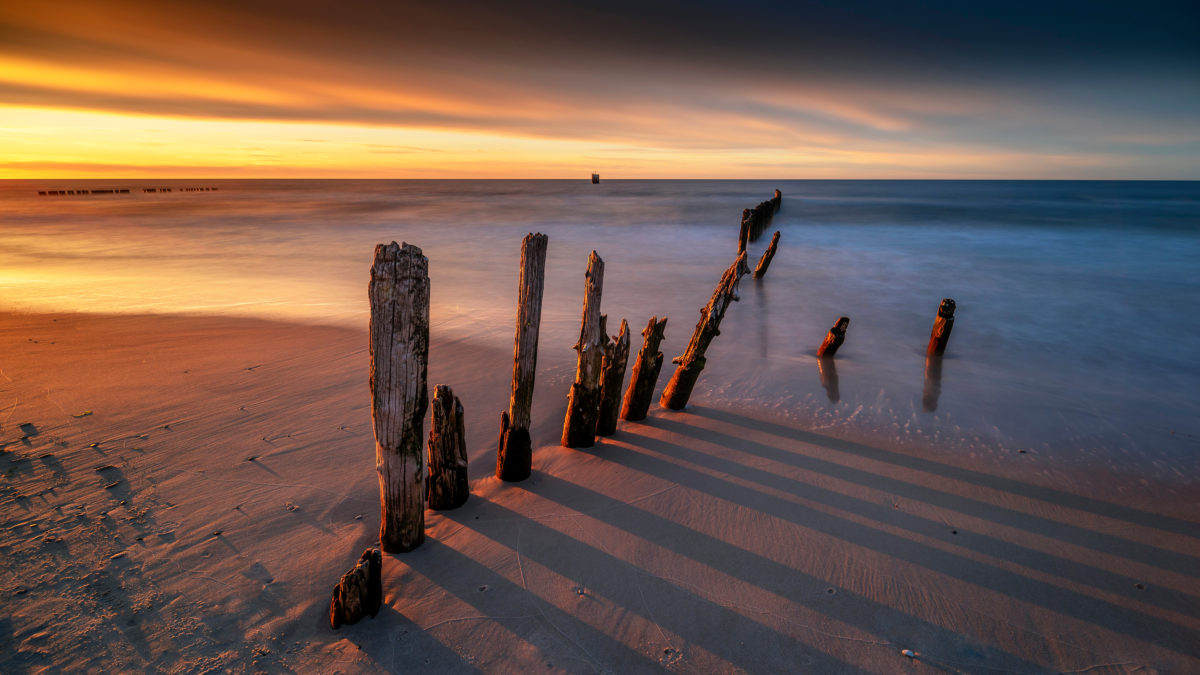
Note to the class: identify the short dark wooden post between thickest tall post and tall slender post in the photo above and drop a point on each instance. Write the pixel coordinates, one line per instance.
(448, 486)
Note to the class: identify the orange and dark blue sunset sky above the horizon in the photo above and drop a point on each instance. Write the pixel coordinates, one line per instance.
(639, 89)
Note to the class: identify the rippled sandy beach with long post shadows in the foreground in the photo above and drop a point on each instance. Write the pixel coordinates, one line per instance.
(182, 493)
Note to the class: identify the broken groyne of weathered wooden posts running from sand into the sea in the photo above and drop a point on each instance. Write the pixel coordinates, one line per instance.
(399, 347)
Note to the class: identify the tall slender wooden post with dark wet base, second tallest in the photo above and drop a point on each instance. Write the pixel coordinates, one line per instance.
(514, 455)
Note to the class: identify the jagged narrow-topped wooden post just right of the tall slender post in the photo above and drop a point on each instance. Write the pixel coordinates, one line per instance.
(584, 402)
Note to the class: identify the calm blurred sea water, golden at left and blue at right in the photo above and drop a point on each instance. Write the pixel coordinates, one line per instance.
(1077, 330)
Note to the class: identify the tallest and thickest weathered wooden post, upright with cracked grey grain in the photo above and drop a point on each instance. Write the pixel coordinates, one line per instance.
(400, 350)
